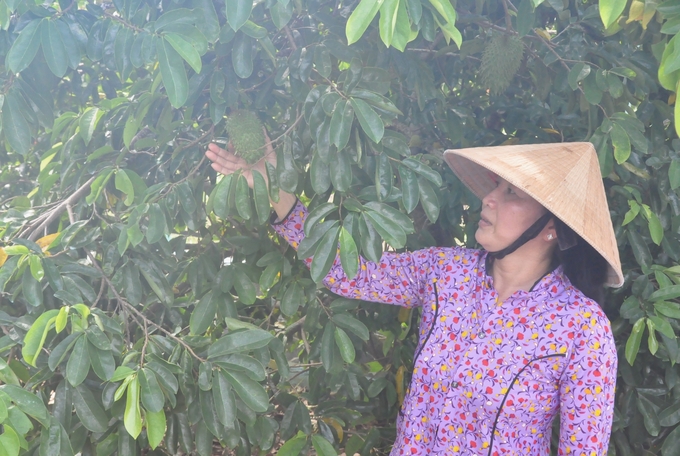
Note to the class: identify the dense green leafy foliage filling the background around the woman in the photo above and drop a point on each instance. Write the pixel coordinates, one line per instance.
(147, 307)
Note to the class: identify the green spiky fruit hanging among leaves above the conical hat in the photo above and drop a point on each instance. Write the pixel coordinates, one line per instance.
(500, 61)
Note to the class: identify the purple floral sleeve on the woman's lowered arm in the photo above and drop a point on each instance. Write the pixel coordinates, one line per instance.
(588, 387)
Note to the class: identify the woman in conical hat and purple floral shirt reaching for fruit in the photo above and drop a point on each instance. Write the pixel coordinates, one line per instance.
(510, 335)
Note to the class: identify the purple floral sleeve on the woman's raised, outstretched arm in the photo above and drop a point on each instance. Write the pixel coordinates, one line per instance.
(399, 278)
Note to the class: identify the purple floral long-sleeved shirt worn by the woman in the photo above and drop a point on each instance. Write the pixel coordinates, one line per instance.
(491, 375)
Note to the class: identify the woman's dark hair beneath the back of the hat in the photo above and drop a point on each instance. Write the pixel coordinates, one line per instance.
(583, 265)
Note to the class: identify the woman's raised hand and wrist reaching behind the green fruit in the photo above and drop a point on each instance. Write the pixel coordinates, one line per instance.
(226, 162)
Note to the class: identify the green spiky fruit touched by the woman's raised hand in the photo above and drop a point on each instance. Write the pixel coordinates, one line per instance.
(246, 134)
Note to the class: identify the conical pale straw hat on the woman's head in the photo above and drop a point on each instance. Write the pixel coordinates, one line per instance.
(564, 177)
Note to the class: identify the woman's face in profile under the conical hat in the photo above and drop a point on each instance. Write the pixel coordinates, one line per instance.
(506, 213)
